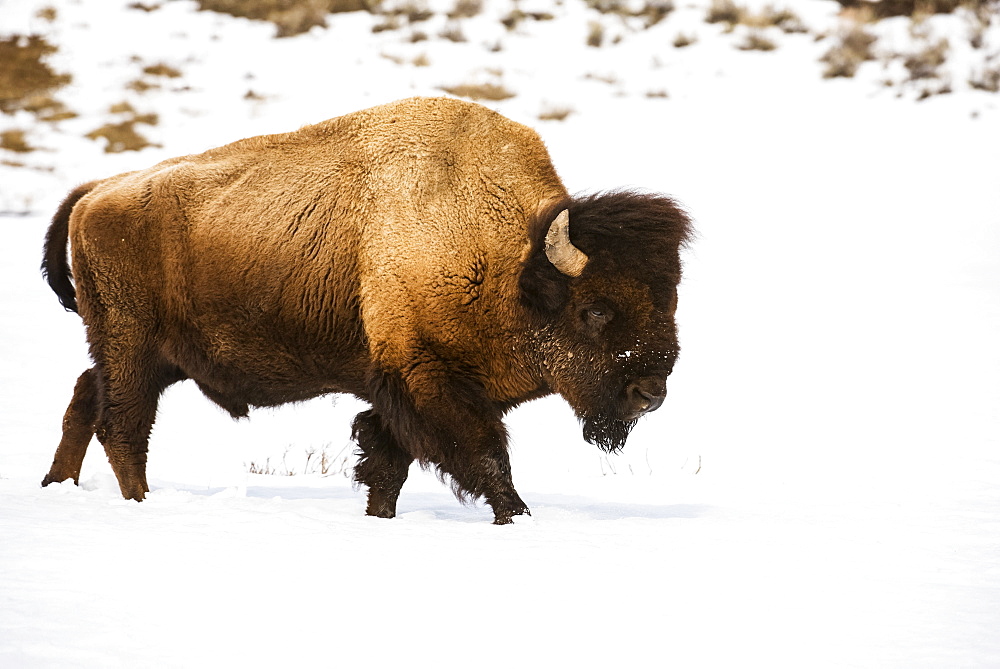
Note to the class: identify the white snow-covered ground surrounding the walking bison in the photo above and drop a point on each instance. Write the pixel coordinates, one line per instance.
(821, 488)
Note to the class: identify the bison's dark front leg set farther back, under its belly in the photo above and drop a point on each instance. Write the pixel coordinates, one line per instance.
(383, 465)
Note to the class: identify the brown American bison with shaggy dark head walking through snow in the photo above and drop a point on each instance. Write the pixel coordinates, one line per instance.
(422, 255)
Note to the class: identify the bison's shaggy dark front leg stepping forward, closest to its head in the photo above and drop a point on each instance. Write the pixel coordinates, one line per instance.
(450, 422)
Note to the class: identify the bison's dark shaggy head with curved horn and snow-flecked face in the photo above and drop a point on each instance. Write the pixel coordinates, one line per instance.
(601, 287)
